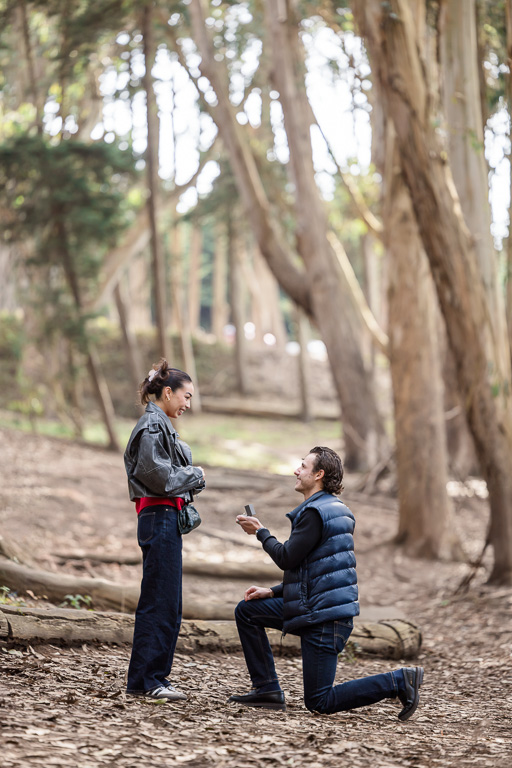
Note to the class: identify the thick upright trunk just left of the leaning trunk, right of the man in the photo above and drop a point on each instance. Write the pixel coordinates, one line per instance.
(426, 526)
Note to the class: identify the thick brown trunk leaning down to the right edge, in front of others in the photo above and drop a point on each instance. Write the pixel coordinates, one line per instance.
(389, 32)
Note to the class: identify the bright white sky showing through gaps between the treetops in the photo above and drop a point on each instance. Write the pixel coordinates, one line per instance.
(184, 130)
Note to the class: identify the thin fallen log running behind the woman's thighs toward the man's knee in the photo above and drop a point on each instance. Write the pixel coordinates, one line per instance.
(224, 570)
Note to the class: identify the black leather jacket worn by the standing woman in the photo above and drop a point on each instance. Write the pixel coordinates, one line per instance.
(157, 462)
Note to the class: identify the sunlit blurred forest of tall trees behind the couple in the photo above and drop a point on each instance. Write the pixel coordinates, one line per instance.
(303, 204)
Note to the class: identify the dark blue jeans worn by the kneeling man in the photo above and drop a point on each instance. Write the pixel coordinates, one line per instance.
(321, 644)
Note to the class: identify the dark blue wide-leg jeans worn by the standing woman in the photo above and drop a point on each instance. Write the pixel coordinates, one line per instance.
(158, 615)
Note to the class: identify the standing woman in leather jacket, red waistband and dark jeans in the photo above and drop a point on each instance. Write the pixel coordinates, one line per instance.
(161, 480)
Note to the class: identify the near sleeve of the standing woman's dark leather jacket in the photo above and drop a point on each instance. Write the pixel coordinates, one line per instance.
(155, 469)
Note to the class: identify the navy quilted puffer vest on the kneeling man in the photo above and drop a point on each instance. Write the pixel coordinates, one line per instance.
(324, 586)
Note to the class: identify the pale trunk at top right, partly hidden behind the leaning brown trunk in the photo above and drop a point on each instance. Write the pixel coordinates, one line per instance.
(464, 123)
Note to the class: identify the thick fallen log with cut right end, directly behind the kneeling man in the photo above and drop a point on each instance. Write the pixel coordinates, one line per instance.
(393, 638)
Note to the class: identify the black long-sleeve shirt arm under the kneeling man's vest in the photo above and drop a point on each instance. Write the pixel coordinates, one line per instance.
(303, 539)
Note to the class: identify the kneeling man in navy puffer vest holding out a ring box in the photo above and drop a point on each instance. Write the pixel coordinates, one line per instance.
(317, 600)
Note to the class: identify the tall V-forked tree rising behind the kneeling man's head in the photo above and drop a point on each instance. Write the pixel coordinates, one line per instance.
(318, 290)
